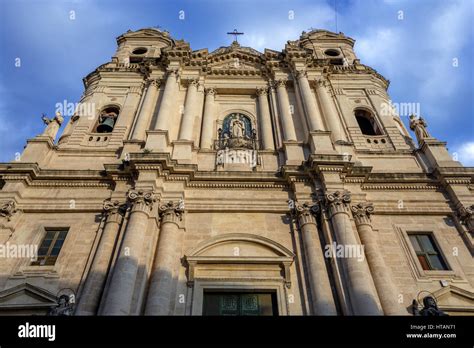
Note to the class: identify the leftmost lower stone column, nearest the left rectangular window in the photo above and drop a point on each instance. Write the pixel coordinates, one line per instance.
(94, 286)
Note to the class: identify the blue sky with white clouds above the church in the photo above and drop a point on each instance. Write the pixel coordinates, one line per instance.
(424, 47)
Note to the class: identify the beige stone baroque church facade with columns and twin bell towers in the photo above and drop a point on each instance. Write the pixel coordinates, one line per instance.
(236, 182)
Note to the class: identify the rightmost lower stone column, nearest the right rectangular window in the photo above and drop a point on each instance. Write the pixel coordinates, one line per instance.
(380, 273)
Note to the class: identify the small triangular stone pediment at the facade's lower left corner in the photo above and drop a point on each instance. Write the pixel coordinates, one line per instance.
(26, 295)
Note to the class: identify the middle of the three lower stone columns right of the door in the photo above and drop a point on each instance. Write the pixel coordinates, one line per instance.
(363, 297)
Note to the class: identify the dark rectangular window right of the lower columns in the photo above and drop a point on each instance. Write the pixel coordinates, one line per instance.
(427, 252)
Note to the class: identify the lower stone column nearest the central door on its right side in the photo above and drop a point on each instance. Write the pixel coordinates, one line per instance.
(321, 294)
